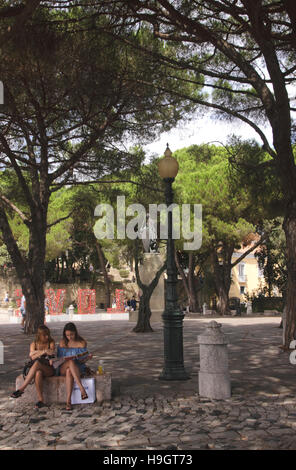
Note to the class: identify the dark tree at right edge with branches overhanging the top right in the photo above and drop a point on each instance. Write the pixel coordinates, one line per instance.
(243, 53)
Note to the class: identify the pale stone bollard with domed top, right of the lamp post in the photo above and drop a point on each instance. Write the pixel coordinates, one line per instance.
(214, 380)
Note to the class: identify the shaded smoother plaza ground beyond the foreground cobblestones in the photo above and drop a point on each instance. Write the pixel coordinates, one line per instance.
(256, 363)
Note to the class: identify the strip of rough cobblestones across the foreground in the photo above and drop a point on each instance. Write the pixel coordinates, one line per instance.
(157, 423)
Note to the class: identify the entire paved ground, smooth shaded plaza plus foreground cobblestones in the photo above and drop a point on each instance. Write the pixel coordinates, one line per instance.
(146, 413)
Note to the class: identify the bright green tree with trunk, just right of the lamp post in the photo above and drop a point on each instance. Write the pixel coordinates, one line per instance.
(229, 214)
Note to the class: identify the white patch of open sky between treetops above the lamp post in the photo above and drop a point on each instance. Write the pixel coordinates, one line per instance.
(203, 130)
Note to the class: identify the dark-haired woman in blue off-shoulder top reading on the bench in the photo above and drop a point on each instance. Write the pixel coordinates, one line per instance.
(70, 346)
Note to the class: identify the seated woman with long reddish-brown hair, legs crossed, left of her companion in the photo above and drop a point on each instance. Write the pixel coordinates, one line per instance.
(43, 346)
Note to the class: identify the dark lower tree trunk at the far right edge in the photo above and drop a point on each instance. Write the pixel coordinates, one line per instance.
(289, 226)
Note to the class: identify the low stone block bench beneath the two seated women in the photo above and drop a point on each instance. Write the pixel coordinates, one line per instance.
(54, 389)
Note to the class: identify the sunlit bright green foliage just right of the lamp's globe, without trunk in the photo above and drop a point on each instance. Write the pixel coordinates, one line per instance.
(204, 178)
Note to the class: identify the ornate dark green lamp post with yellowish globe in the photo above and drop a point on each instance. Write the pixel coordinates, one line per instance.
(172, 315)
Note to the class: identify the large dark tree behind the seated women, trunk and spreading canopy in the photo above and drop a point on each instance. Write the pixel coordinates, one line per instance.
(66, 115)
